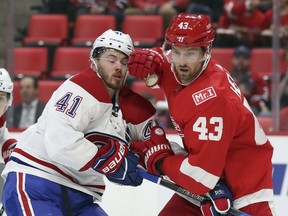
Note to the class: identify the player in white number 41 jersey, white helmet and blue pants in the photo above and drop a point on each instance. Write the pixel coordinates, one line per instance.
(83, 135)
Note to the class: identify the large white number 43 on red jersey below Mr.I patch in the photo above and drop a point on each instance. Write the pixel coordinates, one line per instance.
(201, 124)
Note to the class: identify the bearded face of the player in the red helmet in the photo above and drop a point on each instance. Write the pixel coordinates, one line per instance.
(187, 61)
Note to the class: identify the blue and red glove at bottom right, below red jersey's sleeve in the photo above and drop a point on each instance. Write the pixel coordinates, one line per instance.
(221, 197)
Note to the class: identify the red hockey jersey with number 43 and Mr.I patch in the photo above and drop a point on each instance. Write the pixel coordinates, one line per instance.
(221, 135)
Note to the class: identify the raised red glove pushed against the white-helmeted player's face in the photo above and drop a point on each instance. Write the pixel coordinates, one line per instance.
(145, 62)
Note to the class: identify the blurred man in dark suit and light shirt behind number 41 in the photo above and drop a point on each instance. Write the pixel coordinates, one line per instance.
(28, 111)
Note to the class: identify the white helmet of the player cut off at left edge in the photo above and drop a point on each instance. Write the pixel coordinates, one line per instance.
(6, 84)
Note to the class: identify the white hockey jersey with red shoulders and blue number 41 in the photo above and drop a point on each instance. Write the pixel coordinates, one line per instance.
(79, 118)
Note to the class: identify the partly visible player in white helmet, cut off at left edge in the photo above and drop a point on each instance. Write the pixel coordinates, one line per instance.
(7, 143)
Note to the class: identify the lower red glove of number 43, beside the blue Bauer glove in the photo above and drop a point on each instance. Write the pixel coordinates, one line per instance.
(153, 150)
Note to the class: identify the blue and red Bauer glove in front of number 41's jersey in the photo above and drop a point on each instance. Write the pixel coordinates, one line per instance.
(118, 164)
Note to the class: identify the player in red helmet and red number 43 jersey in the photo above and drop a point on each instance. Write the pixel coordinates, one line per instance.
(222, 137)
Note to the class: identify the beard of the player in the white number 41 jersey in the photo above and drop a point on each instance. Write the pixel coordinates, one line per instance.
(109, 80)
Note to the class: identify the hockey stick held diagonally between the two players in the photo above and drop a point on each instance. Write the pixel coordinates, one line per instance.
(193, 198)
